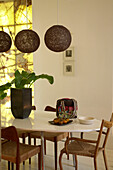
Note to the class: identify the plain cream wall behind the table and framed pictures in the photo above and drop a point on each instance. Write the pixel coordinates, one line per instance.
(91, 25)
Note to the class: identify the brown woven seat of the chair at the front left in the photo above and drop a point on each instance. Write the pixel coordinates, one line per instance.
(26, 151)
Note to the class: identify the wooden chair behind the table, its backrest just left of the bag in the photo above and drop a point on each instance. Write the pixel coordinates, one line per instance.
(53, 137)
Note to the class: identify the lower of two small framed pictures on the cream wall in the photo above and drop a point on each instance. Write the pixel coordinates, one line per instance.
(68, 69)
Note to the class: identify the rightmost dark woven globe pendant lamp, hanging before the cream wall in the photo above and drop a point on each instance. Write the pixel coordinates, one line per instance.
(57, 38)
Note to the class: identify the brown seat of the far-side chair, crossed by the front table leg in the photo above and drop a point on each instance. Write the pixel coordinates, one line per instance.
(50, 135)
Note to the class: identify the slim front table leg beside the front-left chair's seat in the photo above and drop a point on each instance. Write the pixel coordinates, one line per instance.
(42, 152)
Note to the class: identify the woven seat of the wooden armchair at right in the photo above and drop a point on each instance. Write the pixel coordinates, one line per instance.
(81, 148)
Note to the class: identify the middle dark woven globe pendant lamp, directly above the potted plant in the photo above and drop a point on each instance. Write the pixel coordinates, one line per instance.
(27, 41)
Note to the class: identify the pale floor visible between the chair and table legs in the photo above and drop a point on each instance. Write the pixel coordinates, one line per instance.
(83, 162)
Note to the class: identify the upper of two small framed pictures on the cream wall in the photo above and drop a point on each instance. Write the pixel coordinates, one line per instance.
(69, 54)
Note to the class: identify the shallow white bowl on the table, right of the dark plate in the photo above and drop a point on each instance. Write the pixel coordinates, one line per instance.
(86, 120)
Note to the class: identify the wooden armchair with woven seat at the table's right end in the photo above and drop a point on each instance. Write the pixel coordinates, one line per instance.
(84, 147)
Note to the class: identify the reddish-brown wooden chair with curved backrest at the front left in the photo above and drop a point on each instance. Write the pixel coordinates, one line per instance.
(16, 152)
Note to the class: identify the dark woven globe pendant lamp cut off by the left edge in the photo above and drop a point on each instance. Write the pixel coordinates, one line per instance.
(5, 41)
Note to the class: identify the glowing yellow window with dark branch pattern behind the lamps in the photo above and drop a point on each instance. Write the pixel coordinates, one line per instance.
(15, 15)
